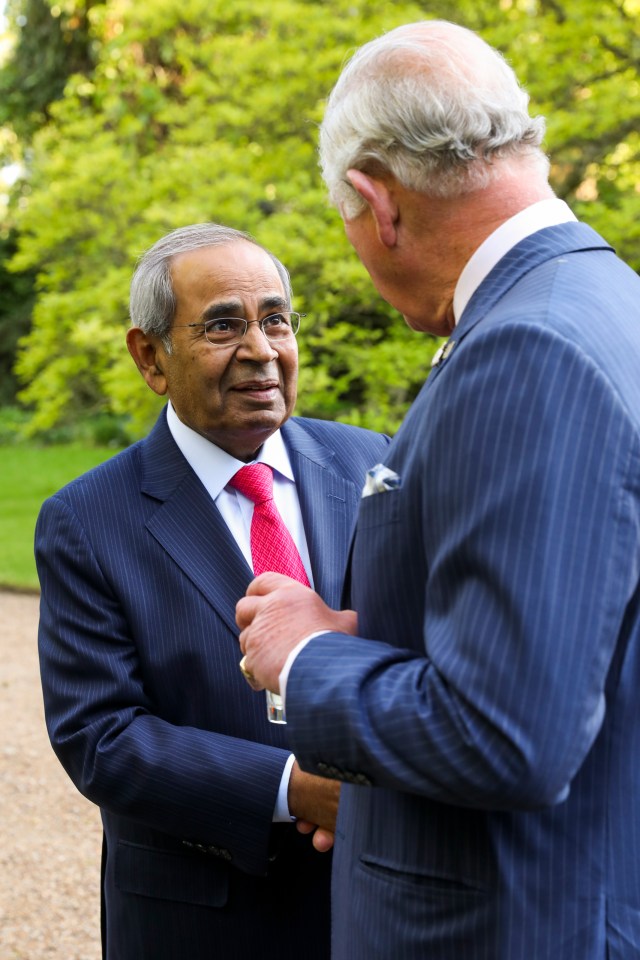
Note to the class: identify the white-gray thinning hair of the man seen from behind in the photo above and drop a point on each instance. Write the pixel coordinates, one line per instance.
(432, 103)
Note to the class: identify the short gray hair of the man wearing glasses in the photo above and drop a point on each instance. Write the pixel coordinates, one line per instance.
(152, 302)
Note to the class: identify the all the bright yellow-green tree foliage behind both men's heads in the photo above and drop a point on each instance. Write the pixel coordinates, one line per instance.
(201, 110)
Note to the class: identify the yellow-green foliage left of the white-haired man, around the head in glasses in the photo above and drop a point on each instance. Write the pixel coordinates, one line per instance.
(201, 111)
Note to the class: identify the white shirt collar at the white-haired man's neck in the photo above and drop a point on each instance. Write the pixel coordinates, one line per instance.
(545, 213)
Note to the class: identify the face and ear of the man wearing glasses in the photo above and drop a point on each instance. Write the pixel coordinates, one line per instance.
(235, 396)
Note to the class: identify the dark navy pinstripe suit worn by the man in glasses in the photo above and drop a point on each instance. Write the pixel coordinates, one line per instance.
(150, 715)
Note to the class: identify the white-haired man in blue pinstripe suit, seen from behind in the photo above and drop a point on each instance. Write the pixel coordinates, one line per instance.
(482, 709)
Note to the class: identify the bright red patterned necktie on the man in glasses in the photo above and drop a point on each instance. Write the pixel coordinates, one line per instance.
(272, 546)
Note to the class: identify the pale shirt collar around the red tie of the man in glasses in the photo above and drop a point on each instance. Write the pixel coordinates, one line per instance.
(215, 467)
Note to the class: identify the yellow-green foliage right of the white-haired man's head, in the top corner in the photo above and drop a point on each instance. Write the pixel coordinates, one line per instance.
(580, 60)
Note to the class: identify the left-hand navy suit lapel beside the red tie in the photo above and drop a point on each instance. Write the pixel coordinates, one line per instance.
(189, 526)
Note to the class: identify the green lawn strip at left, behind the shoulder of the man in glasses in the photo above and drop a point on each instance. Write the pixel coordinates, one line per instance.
(28, 475)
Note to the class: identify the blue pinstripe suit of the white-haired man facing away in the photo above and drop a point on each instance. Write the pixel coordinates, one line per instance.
(496, 707)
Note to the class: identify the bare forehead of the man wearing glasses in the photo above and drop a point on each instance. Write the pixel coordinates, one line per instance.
(228, 272)
